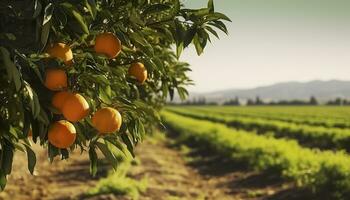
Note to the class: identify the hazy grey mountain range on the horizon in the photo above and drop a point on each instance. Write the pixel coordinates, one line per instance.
(322, 90)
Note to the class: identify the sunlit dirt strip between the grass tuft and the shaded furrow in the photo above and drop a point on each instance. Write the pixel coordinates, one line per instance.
(169, 177)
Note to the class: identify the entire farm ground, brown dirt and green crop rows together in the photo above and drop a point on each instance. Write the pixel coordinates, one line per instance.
(208, 153)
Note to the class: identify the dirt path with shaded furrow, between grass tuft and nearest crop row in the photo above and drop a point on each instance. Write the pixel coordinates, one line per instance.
(193, 174)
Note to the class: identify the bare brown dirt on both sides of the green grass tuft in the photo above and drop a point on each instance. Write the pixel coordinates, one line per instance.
(170, 177)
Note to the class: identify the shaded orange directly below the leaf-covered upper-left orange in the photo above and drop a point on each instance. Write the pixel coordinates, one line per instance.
(56, 79)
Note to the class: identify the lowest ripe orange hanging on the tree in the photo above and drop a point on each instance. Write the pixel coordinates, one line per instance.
(62, 134)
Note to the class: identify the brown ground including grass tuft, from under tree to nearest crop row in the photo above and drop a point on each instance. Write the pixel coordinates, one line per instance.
(164, 168)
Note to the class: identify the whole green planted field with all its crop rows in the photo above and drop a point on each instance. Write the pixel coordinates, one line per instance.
(271, 145)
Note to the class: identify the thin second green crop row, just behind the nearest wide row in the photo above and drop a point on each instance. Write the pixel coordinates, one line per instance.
(310, 136)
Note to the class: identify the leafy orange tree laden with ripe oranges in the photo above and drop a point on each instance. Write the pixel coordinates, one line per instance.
(91, 74)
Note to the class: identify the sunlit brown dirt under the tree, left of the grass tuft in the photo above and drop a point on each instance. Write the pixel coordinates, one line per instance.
(59, 180)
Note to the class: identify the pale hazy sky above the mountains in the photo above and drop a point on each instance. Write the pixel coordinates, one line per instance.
(274, 41)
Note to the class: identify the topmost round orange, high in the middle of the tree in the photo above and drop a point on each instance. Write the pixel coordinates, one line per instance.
(107, 44)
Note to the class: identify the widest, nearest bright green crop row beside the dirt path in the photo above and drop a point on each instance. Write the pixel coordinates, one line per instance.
(324, 172)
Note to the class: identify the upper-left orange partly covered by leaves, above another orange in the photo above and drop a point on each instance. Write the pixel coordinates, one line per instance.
(62, 52)
